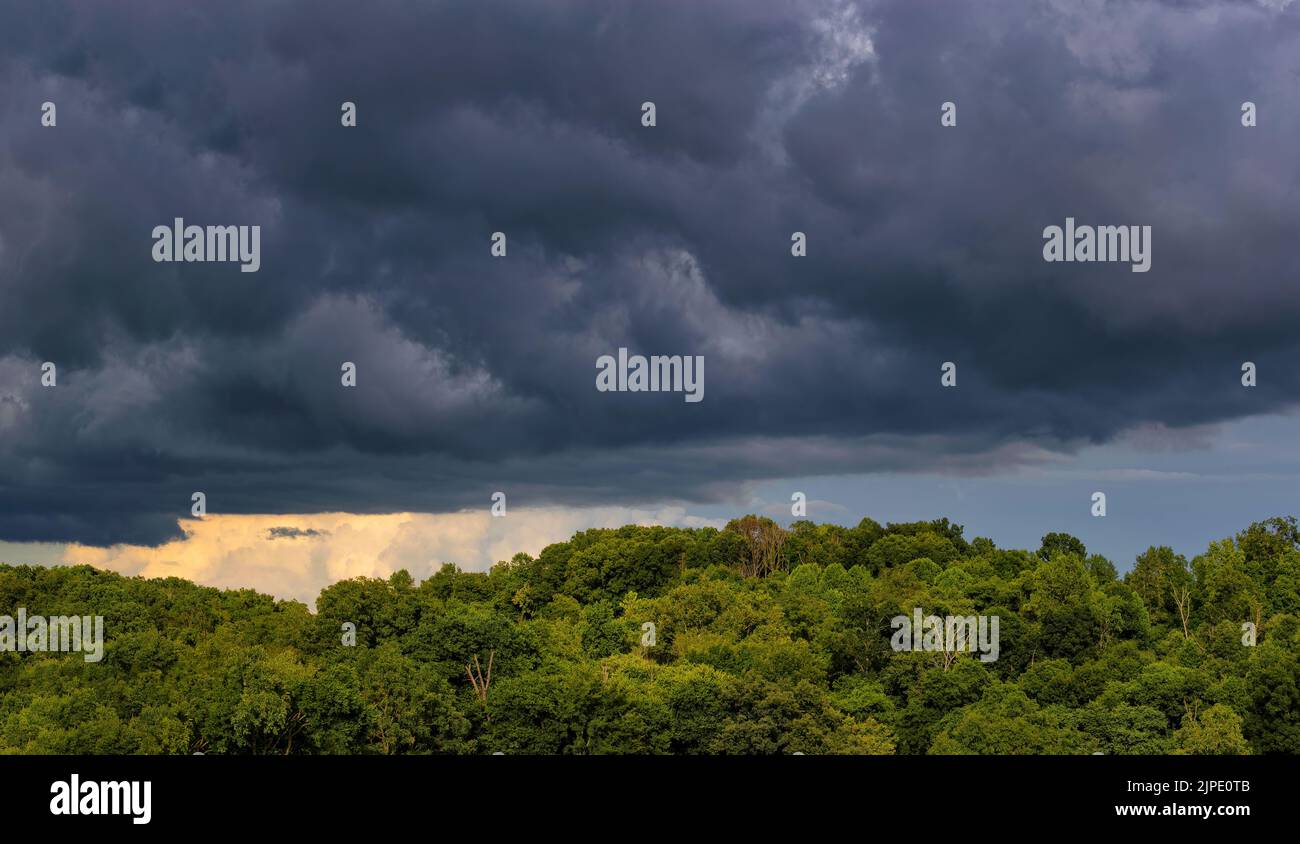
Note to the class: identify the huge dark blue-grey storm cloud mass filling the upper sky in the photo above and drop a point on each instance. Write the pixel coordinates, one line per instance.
(478, 374)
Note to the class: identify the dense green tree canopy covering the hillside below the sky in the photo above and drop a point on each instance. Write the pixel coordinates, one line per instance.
(766, 642)
